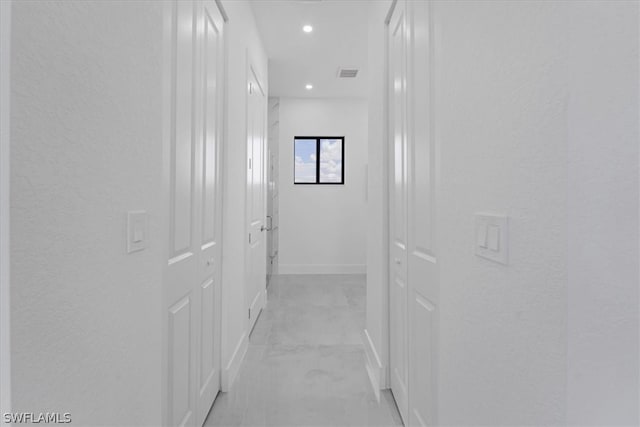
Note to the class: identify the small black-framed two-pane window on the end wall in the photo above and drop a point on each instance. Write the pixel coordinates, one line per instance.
(319, 160)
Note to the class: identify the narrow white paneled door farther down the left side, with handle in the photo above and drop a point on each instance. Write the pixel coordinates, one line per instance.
(256, 197)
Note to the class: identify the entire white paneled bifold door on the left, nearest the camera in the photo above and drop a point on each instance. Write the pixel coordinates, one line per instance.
(192, 277)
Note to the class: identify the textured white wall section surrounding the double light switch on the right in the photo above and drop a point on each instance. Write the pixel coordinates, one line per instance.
(500, 108)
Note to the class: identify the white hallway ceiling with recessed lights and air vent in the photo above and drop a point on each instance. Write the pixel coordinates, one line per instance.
(339, 39)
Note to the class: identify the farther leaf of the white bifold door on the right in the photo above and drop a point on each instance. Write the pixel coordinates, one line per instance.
(398, 292)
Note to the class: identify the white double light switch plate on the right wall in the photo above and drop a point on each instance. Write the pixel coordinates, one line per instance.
(492, 237)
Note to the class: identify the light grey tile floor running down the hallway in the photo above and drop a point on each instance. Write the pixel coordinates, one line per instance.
(306, 365)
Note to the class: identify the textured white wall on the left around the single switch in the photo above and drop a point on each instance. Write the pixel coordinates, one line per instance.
(86, 125)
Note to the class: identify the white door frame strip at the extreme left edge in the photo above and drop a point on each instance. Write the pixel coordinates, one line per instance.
(5, 160)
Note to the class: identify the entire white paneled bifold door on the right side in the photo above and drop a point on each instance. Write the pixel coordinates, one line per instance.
(413, 194)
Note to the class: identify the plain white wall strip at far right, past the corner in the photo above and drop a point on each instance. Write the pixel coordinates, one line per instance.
(602, 354)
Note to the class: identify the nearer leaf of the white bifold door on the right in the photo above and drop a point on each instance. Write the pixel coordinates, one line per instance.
(422, 260)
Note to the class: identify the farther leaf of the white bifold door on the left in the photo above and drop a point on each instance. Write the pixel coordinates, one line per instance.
(212, 105)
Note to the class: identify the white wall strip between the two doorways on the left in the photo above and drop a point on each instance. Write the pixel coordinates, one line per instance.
(243, 44)
